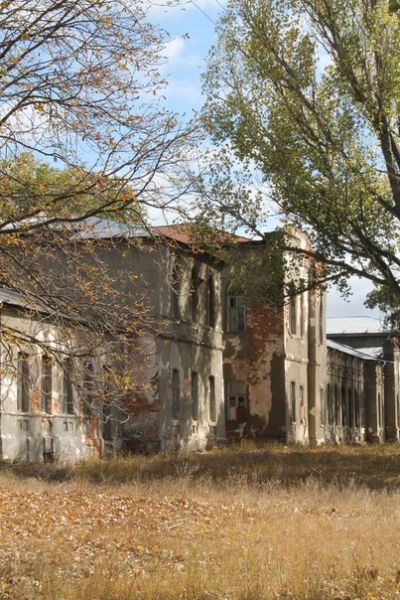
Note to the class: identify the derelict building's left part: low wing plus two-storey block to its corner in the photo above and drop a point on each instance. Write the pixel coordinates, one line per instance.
(175, 362)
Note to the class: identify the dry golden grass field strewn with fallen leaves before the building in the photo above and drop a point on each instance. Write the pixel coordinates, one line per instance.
(246, 523)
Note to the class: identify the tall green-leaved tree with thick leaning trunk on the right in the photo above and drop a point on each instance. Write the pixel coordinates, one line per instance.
(307, 94)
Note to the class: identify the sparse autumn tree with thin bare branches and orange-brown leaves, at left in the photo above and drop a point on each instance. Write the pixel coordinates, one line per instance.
(83, 133)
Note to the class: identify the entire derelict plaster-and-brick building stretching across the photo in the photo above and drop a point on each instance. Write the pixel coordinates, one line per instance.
(207, 368)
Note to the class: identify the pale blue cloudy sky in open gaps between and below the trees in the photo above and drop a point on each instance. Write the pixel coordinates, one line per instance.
(191, 28)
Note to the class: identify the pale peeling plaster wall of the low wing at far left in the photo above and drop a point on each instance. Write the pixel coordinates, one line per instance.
(36, 435)
